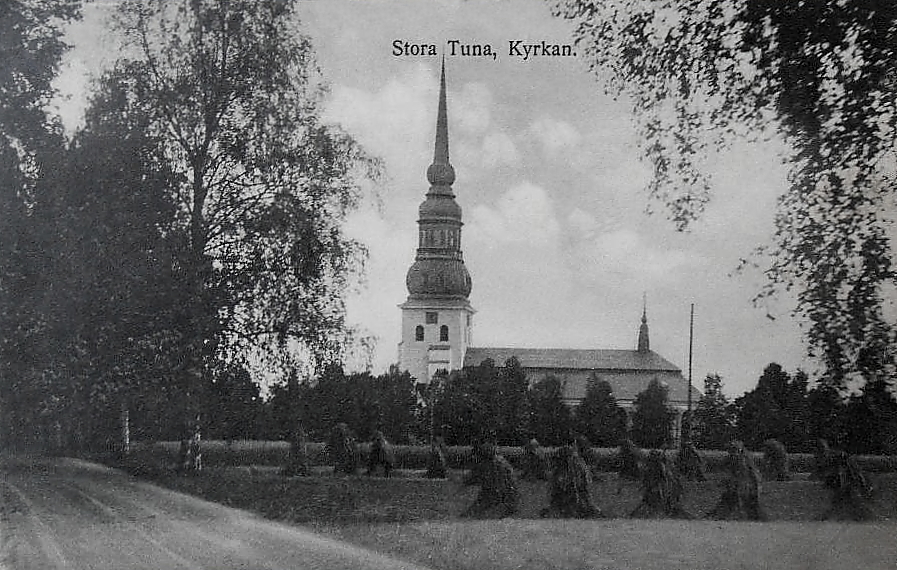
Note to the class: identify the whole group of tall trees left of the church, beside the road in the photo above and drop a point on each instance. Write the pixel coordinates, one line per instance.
(191, 228)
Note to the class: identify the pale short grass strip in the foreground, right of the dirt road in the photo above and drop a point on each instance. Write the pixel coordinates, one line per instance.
(623, 543)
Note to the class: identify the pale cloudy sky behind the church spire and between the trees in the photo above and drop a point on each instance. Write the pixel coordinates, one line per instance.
(557, 239)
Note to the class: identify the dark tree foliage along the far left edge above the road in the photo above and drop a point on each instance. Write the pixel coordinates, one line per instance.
(31, 144)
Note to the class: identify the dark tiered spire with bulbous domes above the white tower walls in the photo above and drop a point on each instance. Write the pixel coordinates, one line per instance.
(438, 270)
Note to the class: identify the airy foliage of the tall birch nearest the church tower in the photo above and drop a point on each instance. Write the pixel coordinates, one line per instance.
(263, 187)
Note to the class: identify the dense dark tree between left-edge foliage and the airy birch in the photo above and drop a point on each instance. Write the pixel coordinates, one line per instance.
(113, 260)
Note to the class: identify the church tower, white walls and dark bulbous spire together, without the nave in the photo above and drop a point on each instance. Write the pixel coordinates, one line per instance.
(436, 317)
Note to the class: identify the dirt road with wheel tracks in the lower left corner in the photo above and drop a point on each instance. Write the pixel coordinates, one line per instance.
(64, 513)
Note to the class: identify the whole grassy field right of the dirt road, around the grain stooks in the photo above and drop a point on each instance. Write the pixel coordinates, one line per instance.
(417, 519)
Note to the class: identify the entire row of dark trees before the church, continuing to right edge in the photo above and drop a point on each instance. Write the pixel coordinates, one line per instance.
(496, 402)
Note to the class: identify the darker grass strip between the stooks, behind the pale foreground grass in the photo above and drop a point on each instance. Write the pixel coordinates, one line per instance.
(326, 500)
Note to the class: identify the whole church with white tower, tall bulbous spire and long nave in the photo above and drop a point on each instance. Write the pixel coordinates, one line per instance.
(437, 317)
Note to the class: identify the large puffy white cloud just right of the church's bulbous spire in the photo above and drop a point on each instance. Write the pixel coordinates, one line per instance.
(523, 214)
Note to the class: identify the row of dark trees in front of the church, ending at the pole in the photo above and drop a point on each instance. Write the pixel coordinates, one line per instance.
(485, 401)
